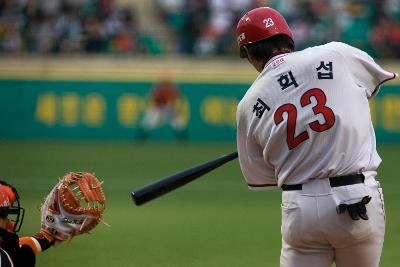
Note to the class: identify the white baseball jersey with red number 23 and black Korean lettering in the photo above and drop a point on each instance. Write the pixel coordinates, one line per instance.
(307, 116)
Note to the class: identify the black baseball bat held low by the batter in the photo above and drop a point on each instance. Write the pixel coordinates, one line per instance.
(172, 182)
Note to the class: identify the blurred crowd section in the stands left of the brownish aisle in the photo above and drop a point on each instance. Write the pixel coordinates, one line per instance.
(67, 26)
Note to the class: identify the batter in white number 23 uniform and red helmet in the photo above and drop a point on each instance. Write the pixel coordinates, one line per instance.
(304, 126)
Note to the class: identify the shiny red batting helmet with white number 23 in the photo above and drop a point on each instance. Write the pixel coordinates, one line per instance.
(261, 23)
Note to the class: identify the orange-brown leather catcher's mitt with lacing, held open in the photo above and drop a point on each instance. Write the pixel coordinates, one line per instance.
(74, 206)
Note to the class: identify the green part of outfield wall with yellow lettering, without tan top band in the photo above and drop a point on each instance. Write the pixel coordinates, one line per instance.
(38, 109)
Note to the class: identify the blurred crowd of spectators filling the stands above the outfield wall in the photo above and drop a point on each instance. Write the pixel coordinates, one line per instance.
(188, 27)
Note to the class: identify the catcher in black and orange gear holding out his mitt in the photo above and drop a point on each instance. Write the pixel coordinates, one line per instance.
(57, 224)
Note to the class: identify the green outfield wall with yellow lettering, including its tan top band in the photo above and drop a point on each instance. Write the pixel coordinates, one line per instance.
(97, 97)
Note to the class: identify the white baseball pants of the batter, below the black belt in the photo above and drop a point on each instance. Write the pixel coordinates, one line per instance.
(314, 235)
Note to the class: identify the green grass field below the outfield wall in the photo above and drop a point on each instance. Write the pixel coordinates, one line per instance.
(215, 221)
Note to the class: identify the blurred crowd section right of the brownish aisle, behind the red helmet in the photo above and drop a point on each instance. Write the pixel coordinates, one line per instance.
(206, 27)
